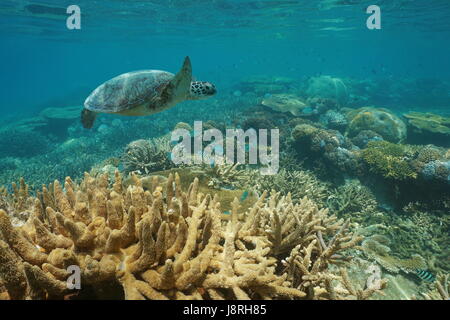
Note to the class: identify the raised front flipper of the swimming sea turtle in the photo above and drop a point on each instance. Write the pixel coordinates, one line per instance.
(179, 87)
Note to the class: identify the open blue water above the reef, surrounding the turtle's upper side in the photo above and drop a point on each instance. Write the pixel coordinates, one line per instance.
(43, 63)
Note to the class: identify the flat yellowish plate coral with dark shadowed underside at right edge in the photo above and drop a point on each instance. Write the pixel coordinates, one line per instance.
(424, 128)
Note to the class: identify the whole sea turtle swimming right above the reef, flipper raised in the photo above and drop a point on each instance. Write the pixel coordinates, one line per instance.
(144, 92)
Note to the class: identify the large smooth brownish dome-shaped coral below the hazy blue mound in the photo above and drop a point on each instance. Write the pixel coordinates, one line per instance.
(379, 120)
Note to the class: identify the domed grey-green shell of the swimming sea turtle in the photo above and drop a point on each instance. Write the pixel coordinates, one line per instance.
(127, 91)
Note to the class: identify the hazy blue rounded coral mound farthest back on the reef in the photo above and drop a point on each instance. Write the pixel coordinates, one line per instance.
(329, 88)
